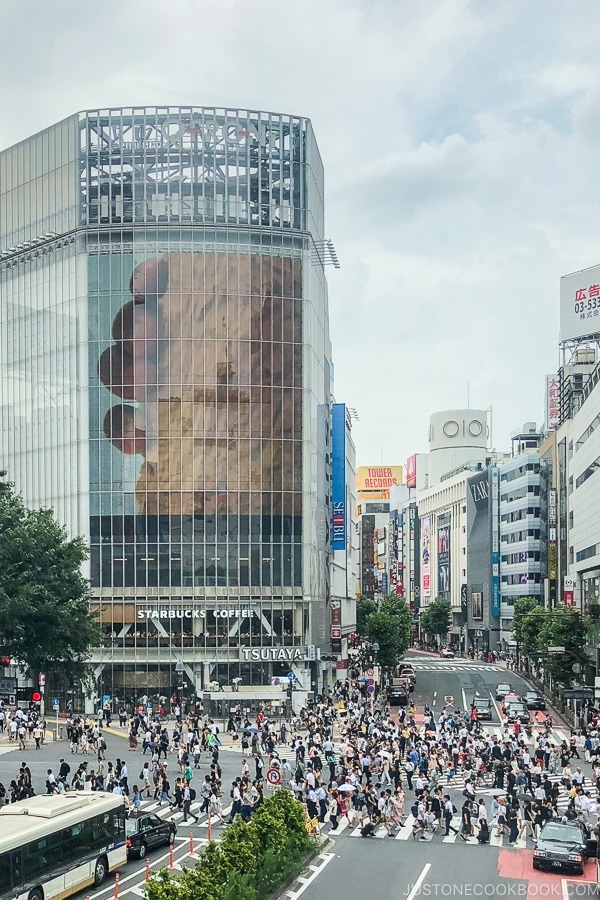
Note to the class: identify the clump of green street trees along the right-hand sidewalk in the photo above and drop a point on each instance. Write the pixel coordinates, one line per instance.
(536, 628)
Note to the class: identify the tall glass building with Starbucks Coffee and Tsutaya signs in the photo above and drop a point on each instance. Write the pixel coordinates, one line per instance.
(165, 370)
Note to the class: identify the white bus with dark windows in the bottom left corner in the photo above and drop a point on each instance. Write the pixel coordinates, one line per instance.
(53, 846)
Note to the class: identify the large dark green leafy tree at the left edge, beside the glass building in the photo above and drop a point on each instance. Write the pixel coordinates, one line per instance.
(45, 619)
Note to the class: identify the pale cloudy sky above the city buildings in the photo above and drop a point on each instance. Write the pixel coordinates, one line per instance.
(460, 145)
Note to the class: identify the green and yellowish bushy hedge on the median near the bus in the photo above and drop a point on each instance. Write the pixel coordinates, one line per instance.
(252, 860)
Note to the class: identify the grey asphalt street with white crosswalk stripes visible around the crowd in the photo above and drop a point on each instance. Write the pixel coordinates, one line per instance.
(378, 868)
